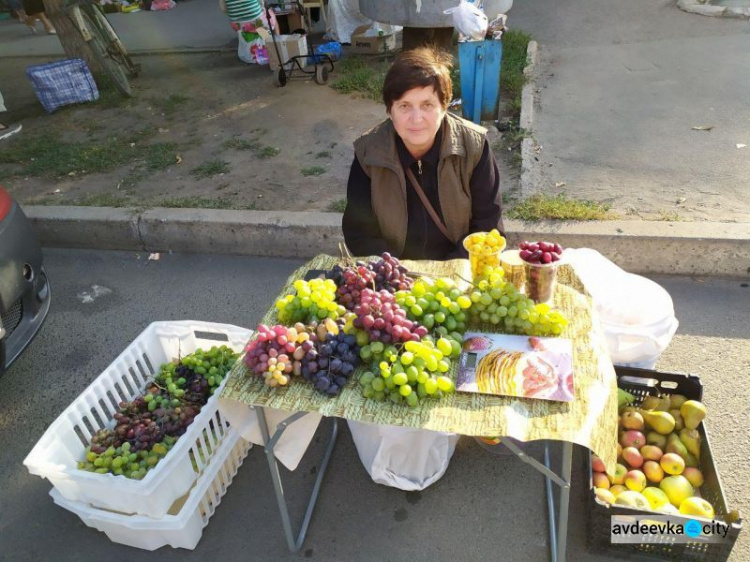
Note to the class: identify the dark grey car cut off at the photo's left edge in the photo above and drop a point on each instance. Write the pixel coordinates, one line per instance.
(24, 287)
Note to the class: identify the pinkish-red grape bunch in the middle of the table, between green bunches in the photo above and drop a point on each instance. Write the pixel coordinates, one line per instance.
(384, 320)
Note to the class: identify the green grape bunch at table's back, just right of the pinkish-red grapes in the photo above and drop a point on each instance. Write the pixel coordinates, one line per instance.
(436, 303)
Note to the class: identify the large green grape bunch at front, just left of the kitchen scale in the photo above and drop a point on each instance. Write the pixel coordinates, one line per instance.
(419, 371)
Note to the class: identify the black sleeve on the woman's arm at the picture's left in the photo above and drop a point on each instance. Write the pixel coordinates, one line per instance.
(361, 229)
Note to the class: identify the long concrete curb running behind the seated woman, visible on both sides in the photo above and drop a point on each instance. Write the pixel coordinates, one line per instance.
(701, 249)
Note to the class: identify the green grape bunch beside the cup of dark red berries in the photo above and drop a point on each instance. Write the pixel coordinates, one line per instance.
(498, 302)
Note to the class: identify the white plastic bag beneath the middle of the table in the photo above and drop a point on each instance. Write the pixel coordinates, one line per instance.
(403, 457)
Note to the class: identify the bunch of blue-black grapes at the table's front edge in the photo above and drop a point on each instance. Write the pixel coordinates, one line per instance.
(338, 356)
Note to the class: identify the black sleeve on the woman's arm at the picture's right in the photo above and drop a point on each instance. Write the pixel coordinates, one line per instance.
(486, 211)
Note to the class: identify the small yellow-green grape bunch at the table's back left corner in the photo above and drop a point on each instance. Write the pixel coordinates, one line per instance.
(312, 300)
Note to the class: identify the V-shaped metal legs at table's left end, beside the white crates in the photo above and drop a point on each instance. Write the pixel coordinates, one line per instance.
(270, 443)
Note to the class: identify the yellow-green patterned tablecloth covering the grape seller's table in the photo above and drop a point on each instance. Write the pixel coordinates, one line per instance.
(590, 420)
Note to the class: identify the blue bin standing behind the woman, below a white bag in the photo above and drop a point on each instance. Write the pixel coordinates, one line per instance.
(479, 64)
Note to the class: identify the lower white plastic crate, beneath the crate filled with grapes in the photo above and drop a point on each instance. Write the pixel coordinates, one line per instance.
(183, 526)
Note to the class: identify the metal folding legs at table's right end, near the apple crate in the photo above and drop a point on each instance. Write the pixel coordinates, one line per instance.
(558, 526)
